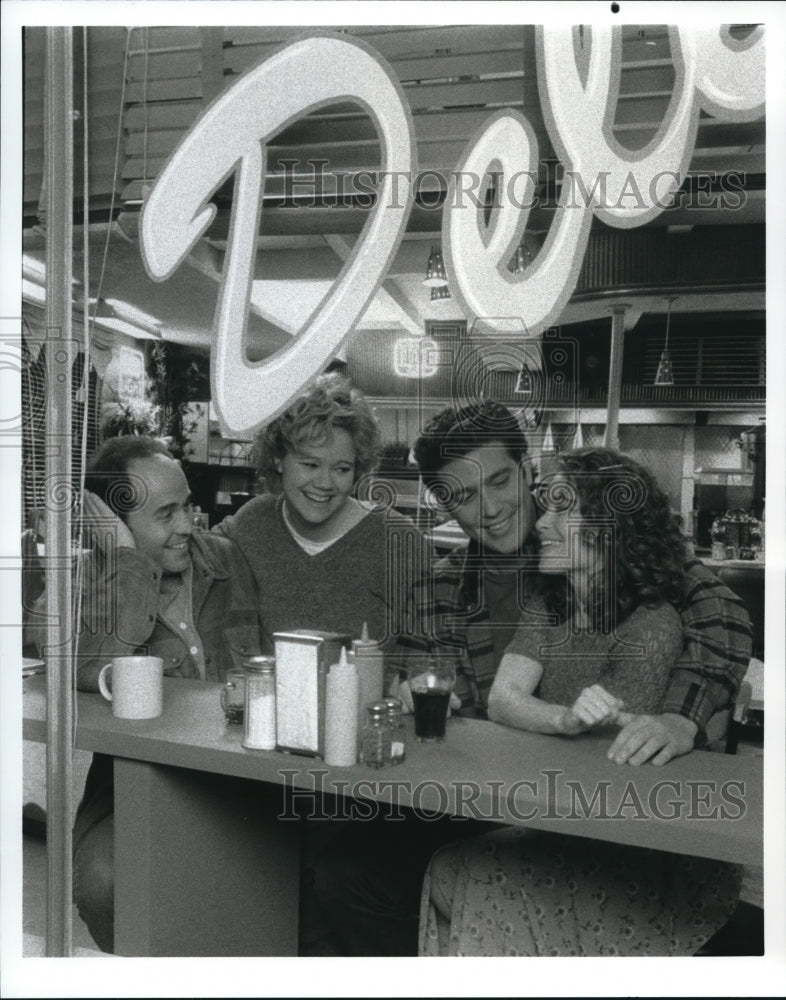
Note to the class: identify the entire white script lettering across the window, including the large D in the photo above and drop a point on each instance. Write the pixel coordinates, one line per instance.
(713, 72)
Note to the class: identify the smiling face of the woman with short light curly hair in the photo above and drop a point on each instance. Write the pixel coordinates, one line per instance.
(317, 478)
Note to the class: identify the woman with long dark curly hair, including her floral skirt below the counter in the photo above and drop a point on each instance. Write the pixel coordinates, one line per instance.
(595, 648)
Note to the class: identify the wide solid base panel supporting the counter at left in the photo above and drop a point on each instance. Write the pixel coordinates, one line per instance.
(203, 866)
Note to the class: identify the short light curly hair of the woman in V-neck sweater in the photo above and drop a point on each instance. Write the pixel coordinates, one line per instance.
(329, 402)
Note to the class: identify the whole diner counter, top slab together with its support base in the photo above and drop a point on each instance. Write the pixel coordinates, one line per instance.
(202, 870)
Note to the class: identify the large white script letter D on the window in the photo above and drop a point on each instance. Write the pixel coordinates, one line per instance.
(231, 136)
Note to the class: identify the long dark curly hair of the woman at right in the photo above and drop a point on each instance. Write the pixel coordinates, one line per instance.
(629, 518)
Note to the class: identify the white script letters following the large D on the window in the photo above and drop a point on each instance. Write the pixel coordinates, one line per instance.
(623, 188)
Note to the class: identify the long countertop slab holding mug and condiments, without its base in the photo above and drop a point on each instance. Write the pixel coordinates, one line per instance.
(476, 755)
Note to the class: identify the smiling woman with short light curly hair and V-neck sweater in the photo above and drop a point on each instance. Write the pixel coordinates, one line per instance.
(319, 555)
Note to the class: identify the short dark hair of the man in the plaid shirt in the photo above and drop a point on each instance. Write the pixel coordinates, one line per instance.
(453, 433)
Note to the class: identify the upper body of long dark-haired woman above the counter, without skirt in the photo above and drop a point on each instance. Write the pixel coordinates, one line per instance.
(612, 555)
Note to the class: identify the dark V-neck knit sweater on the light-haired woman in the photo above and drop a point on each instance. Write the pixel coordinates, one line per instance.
(355, 580)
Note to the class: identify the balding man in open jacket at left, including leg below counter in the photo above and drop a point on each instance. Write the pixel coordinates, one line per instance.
(155, 587)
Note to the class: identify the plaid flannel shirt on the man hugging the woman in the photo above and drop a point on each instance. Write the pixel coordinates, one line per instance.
(449, 611)
